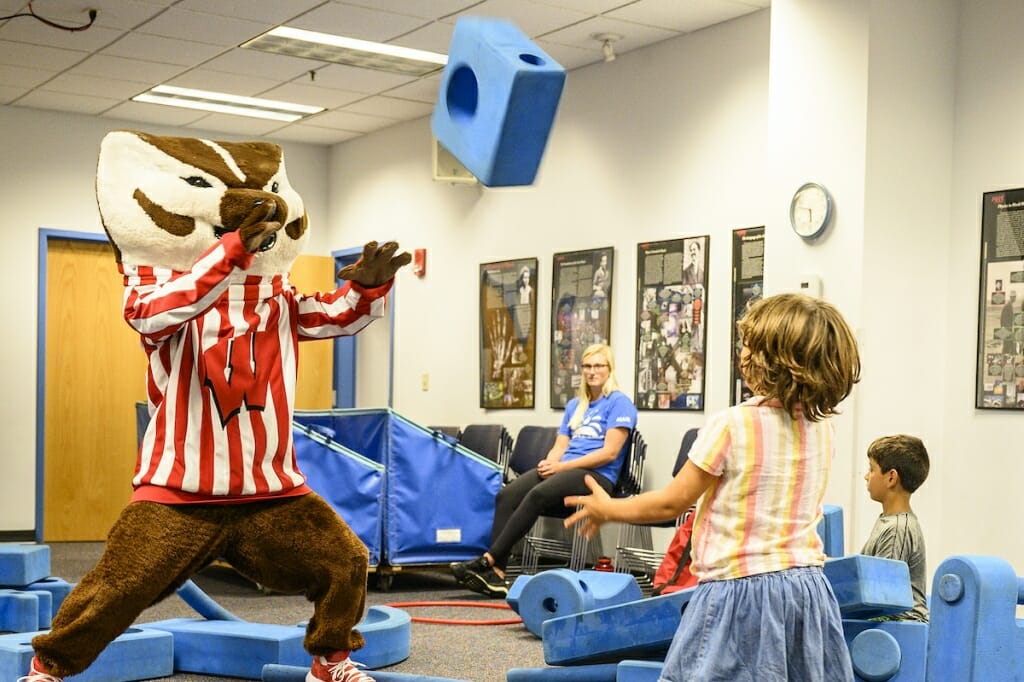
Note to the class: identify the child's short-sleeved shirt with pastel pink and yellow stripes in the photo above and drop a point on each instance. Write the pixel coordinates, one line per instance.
(762, 514)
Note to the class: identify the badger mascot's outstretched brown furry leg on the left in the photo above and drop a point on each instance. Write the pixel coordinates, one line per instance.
(151, 551)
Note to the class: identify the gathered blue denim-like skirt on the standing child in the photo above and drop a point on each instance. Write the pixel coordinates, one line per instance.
(780, 627)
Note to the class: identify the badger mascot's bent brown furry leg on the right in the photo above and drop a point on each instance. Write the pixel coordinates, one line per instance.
(302, 545)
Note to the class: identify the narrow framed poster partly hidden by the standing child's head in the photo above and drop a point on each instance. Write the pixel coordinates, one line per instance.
(748, 287)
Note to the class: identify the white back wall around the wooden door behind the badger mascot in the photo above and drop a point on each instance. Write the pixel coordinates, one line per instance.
(49, 181)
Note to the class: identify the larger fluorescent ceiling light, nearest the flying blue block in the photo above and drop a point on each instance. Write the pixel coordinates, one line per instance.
(337, 50)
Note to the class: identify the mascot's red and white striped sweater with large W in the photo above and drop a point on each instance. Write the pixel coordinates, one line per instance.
(224, 349)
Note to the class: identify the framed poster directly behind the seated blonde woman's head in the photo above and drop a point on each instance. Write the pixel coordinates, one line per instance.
(581, 315)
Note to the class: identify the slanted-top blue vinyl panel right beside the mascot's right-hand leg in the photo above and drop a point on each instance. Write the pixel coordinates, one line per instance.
(352, 484)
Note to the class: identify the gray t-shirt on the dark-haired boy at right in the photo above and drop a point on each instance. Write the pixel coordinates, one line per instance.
(900, 537)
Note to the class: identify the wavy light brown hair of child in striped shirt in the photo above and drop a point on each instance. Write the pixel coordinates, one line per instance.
(801, 352)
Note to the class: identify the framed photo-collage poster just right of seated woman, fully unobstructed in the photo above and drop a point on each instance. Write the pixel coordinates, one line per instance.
(672, 291)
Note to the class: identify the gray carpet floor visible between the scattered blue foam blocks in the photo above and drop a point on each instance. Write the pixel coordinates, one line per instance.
(480, 654)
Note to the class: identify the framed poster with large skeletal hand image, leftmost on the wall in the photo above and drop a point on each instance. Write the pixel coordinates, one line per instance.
(508, 333)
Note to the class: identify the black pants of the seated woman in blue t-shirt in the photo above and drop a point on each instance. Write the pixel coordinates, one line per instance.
(521, 503)
